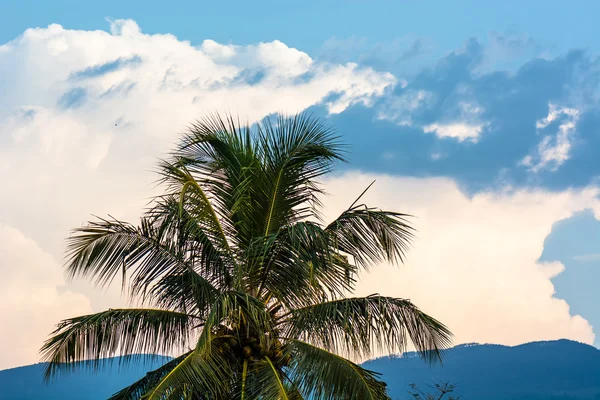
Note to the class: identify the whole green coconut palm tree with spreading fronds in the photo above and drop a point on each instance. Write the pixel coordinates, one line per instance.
(242, 279)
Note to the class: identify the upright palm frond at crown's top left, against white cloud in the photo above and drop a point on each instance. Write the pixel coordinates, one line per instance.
(219, 155)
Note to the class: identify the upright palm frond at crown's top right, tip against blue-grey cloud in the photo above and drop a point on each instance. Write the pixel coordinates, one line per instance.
(296, 152)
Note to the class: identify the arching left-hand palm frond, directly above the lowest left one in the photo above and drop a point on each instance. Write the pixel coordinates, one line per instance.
(152, 255)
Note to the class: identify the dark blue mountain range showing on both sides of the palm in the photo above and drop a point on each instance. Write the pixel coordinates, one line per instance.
(556, 370)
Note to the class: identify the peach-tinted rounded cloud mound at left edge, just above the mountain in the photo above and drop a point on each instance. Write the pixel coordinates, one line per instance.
(32, 298)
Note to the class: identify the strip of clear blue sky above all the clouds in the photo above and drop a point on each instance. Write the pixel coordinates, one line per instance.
(308, 24)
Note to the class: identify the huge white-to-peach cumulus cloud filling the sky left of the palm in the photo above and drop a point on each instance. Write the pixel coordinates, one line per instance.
(86, 116)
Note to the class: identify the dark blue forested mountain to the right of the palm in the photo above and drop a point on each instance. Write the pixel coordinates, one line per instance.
(550, 370)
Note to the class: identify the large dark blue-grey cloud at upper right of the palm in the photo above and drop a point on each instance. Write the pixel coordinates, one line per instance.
(506, 106)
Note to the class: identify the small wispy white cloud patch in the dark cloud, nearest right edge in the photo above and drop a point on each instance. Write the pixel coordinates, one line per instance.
(553, 150)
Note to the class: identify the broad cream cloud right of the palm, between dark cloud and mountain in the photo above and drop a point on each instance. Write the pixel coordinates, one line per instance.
(474, 262)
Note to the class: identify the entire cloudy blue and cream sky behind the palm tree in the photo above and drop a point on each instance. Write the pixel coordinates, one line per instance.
(481, 119)
